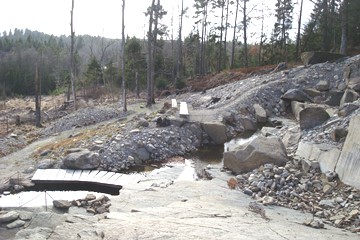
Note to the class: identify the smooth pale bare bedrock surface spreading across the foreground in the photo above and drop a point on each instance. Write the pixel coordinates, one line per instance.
(190, 210)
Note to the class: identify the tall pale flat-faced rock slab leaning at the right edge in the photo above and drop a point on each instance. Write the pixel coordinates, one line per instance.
(348, 165)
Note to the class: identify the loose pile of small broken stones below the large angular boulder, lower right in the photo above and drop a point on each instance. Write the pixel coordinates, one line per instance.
(320, 194)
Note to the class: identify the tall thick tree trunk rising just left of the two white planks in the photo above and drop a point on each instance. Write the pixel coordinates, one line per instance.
(149, 56)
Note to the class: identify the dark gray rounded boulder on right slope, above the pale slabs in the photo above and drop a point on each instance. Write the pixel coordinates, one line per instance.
(312, 116)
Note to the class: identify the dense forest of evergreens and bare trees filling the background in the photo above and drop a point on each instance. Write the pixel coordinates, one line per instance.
(25, 54)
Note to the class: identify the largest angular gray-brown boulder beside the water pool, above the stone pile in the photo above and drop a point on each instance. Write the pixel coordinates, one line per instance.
(259, 151)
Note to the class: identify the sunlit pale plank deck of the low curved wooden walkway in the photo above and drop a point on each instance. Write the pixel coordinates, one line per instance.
(111, 179)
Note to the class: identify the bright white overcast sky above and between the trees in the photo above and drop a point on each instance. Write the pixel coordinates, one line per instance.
(103, 17)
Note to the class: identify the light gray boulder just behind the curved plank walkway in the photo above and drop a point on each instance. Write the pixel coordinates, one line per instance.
(82, 159)
